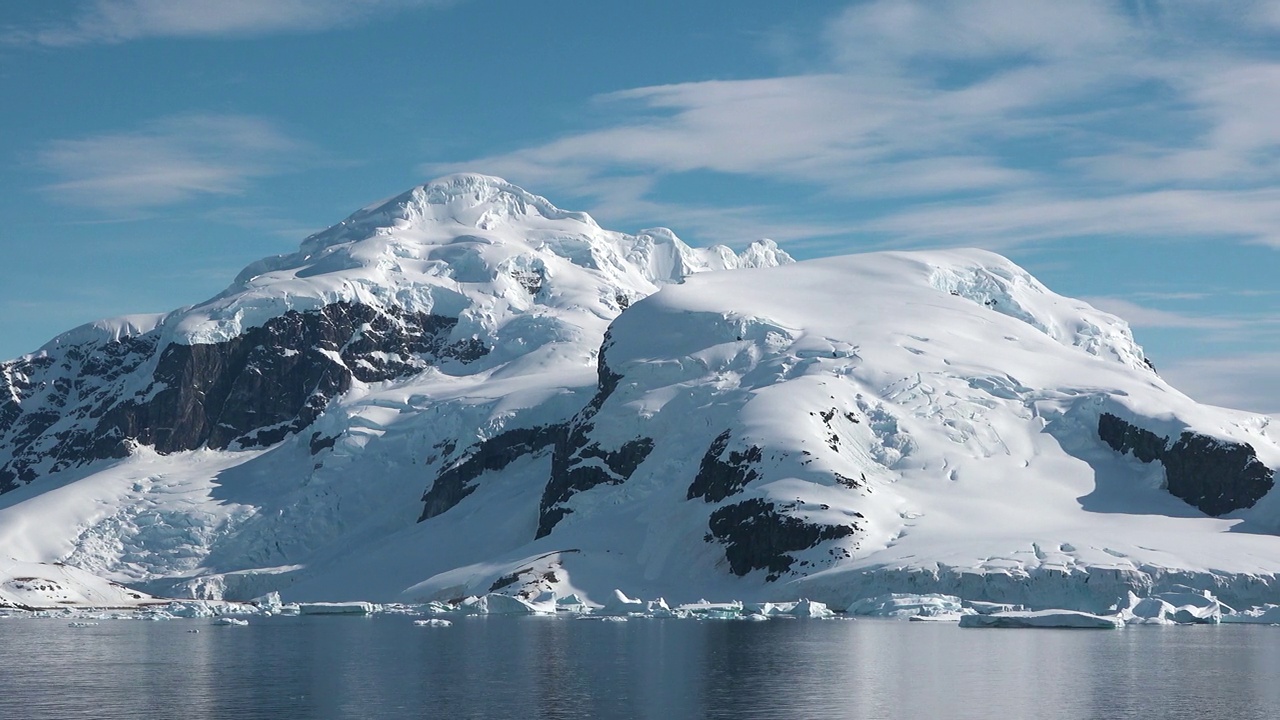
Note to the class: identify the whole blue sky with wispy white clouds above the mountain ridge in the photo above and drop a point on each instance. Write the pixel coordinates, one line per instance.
(1124, 152)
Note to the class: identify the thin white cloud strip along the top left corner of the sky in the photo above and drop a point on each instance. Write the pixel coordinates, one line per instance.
(120, 21)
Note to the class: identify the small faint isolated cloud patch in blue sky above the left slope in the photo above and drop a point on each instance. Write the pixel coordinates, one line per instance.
(166, 162)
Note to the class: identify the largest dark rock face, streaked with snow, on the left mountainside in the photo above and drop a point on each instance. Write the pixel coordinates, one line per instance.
(254, 390)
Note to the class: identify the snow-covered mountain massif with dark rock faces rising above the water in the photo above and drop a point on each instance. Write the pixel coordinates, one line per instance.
(467, 389)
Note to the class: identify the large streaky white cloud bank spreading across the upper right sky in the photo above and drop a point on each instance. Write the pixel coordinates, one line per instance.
(989, 122)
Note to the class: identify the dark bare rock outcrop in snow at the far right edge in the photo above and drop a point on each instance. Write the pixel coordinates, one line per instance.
(1214, 476)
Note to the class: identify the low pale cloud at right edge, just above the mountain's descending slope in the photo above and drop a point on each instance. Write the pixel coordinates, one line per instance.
(1246, 382)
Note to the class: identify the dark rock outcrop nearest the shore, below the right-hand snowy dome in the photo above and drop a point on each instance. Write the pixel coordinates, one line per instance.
(758, 536)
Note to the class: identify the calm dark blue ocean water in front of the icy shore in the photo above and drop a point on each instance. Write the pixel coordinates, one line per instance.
(385, 667)
